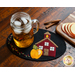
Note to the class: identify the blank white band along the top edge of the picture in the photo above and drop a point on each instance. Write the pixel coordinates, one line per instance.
(38, 3)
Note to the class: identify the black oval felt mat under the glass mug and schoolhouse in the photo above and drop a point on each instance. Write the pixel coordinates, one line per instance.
(25, 52)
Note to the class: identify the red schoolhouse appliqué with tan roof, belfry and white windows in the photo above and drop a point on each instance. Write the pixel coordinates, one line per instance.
(47, 45)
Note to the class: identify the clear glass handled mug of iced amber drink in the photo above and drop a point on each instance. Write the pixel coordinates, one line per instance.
(22, 29)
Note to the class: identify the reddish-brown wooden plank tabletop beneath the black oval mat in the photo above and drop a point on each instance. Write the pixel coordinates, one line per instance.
(43, 14)
